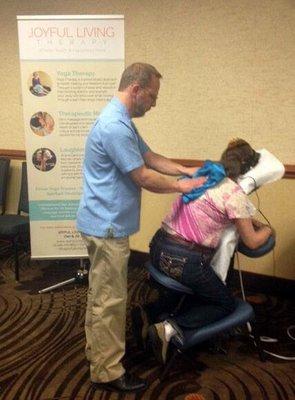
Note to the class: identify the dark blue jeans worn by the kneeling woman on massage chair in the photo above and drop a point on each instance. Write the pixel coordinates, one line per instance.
(212, 300)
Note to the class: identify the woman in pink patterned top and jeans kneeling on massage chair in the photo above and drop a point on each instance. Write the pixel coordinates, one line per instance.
(190, 234)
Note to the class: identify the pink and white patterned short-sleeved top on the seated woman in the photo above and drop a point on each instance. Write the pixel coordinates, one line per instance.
(203, 220)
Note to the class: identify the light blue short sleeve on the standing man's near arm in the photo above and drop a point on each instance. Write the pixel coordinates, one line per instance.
(123, 146)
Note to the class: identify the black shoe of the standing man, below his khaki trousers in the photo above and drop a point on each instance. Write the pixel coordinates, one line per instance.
(126, 383)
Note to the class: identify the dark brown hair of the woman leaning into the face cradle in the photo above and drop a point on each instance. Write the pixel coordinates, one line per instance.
(238, 158)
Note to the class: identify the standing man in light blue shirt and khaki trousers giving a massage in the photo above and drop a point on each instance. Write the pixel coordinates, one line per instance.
(118, 163)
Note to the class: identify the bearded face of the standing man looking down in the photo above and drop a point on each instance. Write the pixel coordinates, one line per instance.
(146, 98)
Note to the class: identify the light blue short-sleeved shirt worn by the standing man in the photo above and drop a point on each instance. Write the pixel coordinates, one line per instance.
(110, 203)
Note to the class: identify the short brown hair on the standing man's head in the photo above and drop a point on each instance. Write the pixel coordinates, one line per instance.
(138, 72)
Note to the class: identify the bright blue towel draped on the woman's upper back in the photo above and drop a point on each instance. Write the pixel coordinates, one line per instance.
(214, 172)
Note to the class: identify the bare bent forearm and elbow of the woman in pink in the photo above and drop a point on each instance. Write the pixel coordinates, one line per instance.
(252, 235)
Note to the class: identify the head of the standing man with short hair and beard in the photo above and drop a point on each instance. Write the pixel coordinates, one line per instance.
(139, 87)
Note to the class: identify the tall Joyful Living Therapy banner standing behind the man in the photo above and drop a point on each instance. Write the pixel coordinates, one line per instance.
(70, 68)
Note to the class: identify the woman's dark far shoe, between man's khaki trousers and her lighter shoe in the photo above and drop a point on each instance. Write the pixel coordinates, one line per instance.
(140, 325)
